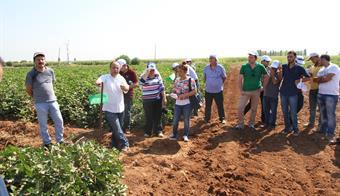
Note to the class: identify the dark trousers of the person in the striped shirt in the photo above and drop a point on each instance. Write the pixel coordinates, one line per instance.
(153, 112)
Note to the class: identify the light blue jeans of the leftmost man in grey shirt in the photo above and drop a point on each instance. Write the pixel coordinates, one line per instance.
(52, 109)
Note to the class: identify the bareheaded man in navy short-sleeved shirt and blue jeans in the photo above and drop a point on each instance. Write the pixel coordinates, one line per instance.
(291, 74)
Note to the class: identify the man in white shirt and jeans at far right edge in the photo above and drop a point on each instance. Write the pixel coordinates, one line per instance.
(328, 78)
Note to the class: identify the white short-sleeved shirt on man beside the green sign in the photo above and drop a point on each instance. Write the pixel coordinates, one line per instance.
(115, 94)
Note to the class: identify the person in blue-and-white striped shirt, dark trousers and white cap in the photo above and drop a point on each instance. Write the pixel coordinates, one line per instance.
(153, 99)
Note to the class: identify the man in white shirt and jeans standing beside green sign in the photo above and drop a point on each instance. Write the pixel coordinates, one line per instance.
(115, 86)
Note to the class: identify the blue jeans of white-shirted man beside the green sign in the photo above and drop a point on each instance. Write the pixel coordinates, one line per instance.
(115, 121)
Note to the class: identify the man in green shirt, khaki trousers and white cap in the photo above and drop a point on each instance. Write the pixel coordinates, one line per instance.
(251, 75)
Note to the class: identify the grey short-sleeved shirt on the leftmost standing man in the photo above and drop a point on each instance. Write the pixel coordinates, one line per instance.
(42, 85)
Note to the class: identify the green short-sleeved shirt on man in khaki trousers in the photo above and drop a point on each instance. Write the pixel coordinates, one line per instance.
(252, 77)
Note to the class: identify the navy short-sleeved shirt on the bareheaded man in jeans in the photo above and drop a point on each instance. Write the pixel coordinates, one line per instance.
(289, 76)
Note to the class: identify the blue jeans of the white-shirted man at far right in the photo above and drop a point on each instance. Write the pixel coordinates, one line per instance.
(328, 113)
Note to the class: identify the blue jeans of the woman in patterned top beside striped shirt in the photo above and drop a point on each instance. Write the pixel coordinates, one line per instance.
(184, 110)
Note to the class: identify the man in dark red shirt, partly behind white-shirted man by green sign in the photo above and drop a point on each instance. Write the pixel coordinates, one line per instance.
(131, 78)
